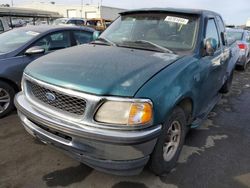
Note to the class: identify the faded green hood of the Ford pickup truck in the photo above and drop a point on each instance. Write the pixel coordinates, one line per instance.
(100, 70)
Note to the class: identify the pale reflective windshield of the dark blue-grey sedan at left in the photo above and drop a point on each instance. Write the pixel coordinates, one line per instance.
(12, 40)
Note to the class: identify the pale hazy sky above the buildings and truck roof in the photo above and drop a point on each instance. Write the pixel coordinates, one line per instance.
(233, 11)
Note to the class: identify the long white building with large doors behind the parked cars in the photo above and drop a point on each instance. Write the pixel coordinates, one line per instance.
(78, 11)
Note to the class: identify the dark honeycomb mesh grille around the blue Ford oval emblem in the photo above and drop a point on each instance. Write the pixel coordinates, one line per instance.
(66, 103)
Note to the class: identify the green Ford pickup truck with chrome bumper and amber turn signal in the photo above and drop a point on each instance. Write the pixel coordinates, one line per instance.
(129, 98)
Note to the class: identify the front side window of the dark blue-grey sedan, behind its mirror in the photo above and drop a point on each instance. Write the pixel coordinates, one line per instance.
(54, 41)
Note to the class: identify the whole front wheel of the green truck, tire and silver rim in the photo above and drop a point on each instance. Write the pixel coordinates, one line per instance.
(170, 143)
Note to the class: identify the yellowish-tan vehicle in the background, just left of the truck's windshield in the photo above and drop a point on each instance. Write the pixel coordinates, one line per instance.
(98, 23)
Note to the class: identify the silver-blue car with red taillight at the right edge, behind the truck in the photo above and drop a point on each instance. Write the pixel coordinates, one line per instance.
(242, 38)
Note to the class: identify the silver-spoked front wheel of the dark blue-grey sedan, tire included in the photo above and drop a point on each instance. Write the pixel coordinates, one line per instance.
(7, 94)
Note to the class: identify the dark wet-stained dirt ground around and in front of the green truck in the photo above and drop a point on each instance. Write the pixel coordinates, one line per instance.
(215, 155)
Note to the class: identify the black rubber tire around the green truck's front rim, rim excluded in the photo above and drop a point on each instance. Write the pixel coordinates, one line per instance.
(157, 163)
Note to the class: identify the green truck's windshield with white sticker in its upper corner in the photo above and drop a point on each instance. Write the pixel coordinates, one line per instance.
(175, 32)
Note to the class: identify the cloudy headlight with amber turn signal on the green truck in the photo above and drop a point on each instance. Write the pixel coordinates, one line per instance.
(125, 113)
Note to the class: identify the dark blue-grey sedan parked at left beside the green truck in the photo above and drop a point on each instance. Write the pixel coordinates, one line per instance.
(21, 46)
